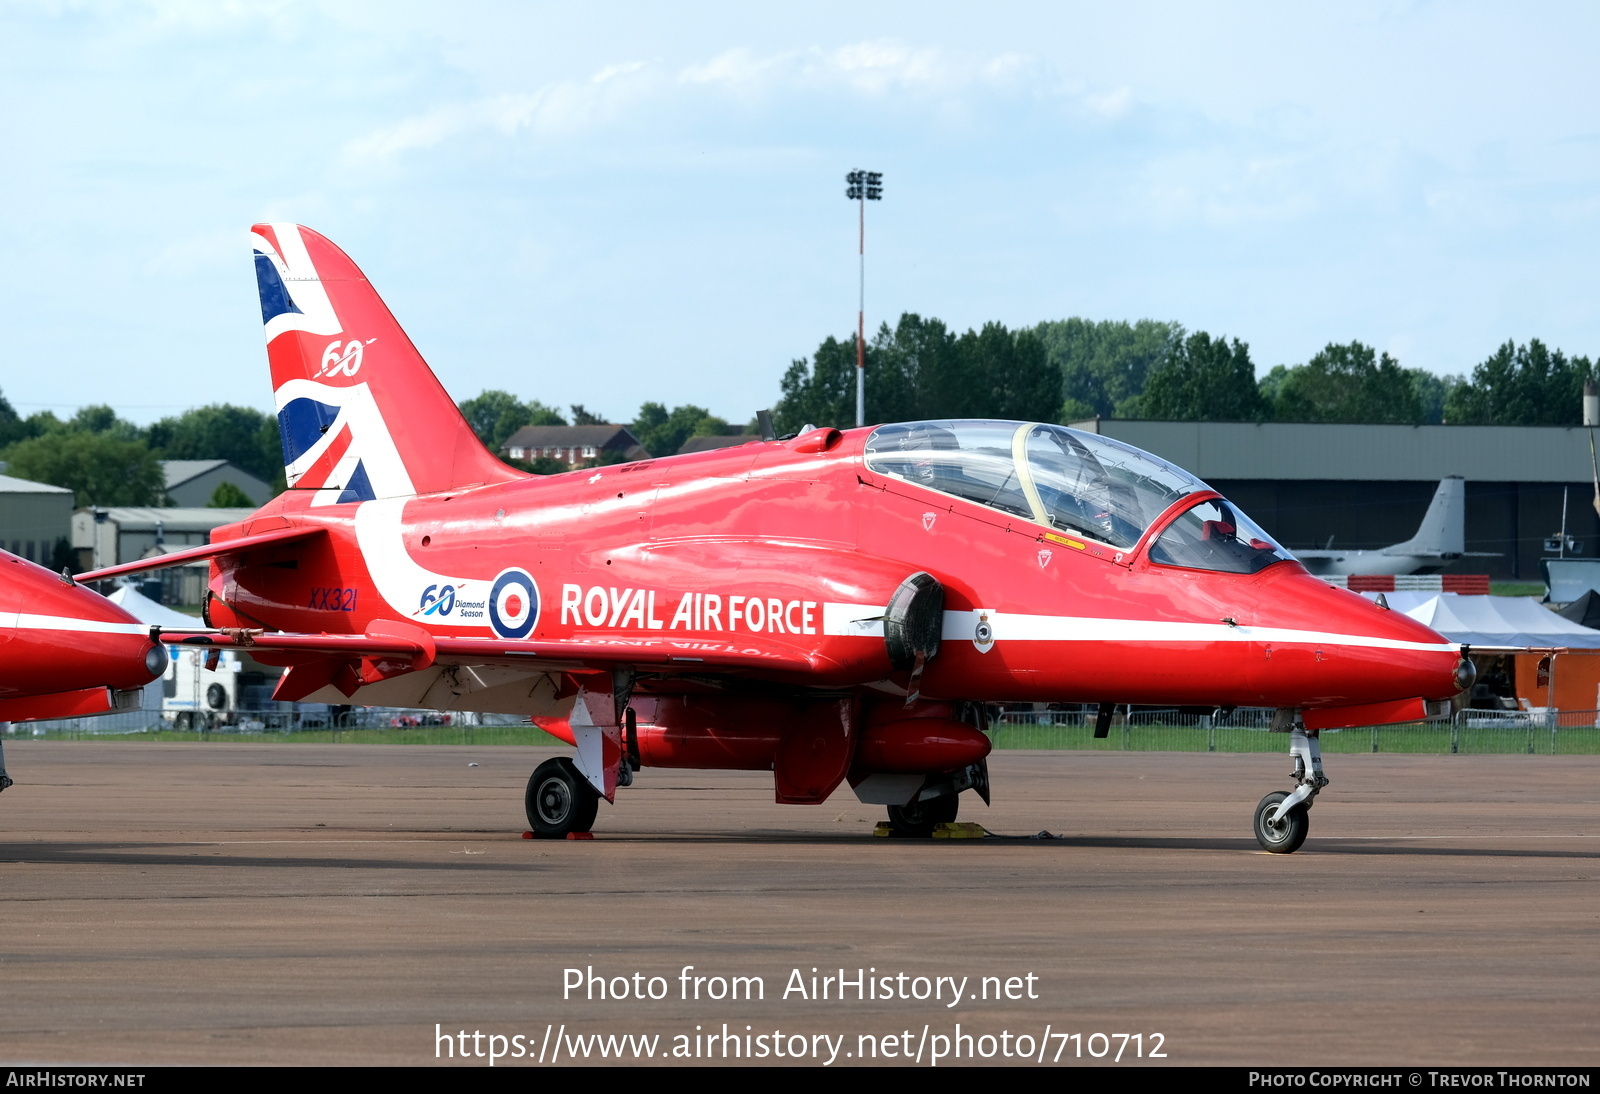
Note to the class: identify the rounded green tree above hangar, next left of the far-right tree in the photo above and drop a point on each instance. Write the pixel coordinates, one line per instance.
(1345, 385)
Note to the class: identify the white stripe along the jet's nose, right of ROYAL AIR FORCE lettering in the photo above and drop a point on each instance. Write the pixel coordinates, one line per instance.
(866, 621)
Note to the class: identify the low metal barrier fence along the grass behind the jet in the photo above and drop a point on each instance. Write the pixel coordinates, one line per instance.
(1244, 730)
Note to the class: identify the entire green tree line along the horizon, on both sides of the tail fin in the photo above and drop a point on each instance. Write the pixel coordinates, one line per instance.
(1060, 372)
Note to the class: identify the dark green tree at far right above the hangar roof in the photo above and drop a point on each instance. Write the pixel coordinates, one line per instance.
(1522, 386)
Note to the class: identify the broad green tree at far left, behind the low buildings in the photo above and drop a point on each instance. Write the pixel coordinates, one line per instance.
(100, 469)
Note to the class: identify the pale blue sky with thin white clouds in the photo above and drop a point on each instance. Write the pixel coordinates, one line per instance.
(610, 204)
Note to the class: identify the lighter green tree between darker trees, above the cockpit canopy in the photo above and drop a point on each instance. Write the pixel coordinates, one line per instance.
(1105, 365)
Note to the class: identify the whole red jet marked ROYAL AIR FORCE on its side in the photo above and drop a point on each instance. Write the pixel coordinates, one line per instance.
(826, 607)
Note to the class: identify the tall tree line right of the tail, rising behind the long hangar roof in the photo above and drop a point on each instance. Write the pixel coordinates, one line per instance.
(1074, 370)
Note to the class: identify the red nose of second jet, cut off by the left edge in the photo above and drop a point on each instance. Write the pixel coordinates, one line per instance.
(66, 652)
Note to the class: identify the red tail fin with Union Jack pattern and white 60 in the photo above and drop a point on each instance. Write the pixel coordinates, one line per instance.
(361, 412)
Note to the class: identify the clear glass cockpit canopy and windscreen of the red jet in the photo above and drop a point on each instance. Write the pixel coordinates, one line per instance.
(1074, 484)
